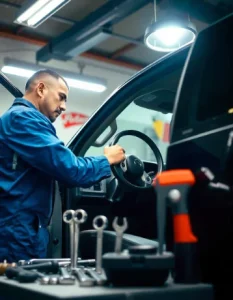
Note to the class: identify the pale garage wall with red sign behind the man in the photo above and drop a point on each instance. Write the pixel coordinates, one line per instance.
(79, 101)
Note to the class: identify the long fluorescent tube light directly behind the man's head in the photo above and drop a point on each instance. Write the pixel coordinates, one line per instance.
(78, 81)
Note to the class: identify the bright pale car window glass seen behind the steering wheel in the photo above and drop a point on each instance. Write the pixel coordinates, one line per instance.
(154, 124)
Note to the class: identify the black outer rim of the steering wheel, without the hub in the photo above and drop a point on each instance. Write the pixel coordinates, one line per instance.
(116, 169)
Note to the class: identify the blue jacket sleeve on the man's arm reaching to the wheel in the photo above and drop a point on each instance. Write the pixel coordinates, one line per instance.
(34, 139)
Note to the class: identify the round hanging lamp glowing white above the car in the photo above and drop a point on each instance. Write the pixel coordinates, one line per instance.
(169, 34)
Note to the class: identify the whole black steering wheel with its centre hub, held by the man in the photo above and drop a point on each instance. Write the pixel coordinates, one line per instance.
(131, 171)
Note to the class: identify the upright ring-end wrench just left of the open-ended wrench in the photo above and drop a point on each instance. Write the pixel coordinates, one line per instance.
(99, 223)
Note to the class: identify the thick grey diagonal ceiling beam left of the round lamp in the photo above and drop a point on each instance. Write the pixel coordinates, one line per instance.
(70, 43)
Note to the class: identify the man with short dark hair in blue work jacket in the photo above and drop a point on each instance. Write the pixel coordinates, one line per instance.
(31, 158)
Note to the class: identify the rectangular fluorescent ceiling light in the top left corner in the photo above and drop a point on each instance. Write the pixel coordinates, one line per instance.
(35, 12)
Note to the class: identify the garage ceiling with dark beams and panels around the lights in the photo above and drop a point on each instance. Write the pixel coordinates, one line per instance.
(123, 22)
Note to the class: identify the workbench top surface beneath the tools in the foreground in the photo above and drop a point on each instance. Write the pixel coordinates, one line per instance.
(36, 291)
